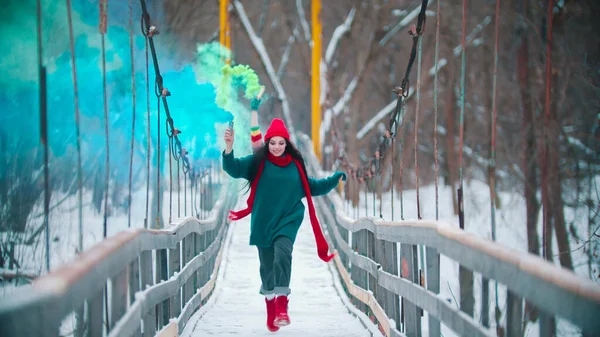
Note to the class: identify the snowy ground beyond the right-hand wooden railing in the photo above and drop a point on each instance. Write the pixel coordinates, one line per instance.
(510, 231)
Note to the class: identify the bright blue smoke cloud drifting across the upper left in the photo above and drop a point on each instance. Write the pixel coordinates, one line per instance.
(191, 105)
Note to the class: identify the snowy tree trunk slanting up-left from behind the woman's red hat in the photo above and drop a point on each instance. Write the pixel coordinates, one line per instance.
(264, 56)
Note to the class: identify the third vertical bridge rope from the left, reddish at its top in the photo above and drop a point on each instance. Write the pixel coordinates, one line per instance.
(103, 26)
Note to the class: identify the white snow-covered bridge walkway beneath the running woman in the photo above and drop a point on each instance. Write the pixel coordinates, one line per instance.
(318, 307)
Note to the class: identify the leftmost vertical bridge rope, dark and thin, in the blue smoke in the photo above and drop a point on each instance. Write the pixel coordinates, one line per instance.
(43, 129)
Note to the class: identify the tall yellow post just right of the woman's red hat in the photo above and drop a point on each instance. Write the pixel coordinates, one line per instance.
(316, 76)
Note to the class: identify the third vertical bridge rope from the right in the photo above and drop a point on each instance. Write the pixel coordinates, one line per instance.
(461, 208)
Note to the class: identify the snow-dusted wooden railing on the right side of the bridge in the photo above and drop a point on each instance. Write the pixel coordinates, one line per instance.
(367, 261)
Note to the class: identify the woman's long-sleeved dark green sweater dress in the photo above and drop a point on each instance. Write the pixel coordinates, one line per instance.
(278, 208)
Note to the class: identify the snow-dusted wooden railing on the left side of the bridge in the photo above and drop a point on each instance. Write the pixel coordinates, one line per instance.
(157, 279)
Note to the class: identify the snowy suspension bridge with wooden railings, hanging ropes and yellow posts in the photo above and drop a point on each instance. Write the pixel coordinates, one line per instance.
(196, 275)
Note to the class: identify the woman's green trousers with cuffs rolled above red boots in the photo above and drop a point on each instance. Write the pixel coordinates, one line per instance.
(276, 266)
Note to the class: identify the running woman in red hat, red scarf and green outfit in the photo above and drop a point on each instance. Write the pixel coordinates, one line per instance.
(278, 182)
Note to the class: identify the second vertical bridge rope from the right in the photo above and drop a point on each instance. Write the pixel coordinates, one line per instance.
(493, 150)
